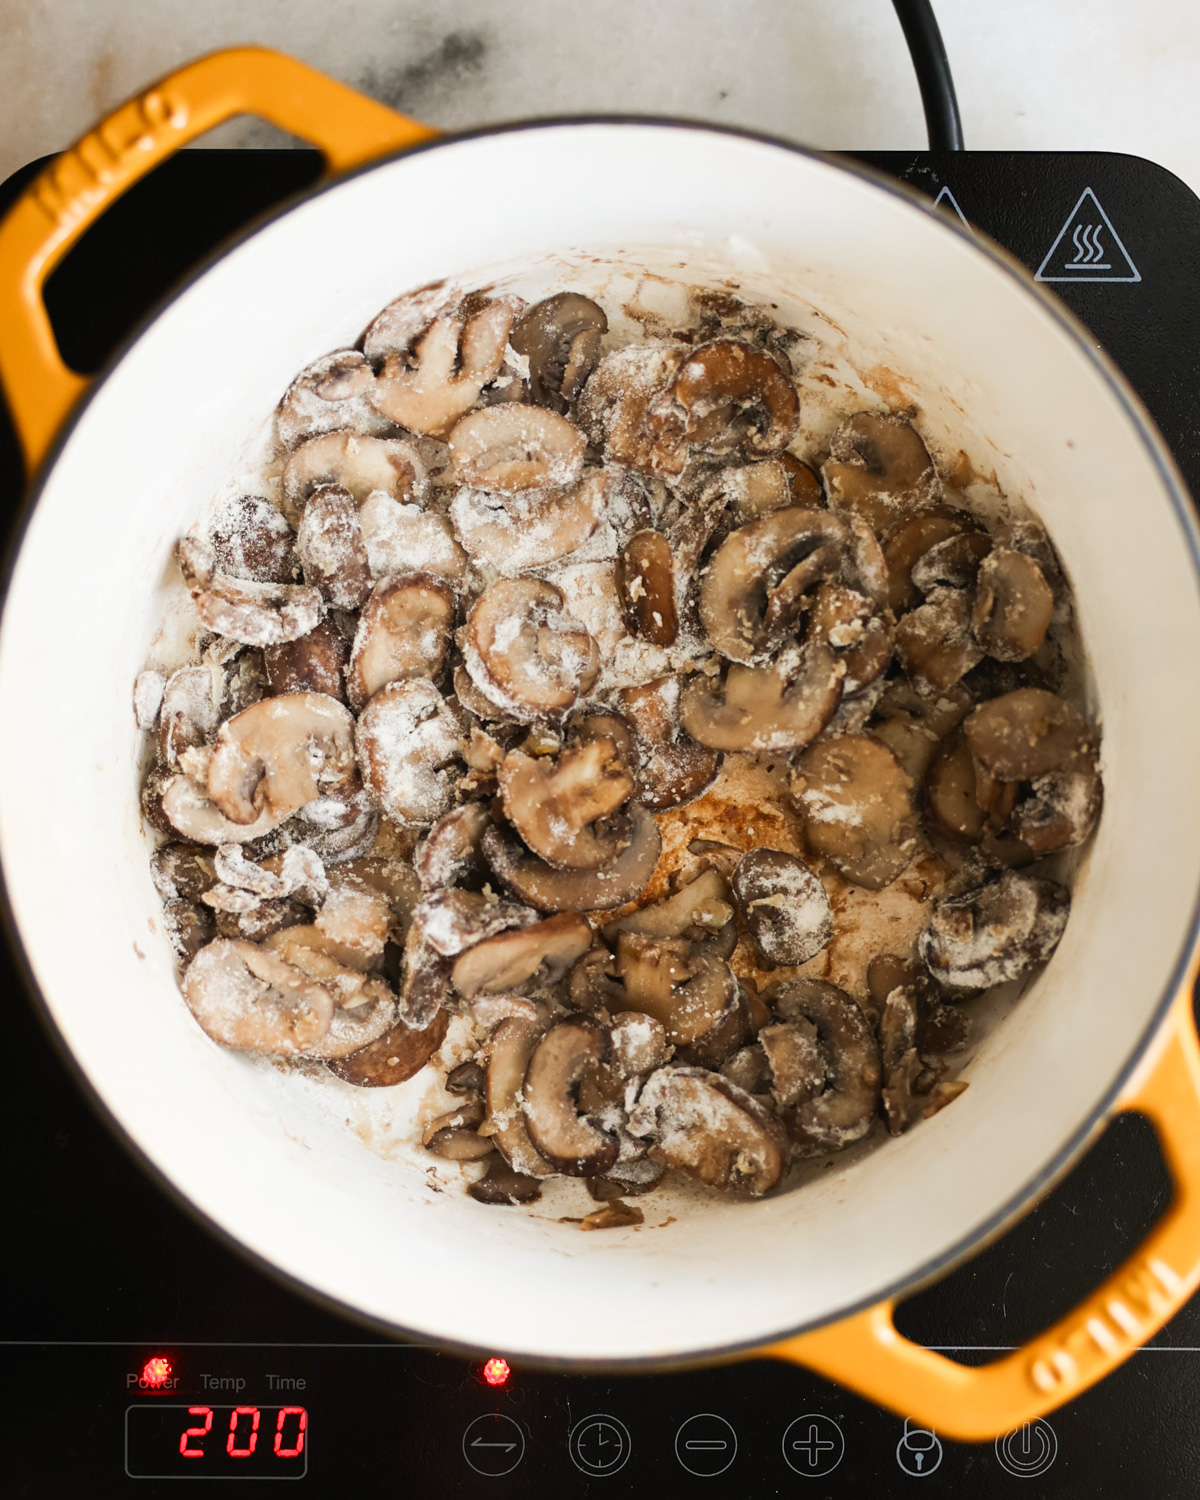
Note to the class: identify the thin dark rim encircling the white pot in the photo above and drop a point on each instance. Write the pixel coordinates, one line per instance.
(1067, 1154)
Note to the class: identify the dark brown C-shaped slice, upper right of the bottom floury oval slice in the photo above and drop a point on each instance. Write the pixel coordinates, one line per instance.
(842, 1112)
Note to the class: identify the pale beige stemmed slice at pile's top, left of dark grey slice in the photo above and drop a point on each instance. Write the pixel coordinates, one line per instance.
(454, 362)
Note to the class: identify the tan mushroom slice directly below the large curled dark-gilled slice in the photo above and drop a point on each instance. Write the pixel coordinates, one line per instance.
(781, 707)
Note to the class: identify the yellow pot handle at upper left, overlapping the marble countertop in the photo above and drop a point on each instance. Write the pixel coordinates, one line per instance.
(77, 188)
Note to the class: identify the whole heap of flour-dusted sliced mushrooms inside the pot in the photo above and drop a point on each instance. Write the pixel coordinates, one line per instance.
(565, 692)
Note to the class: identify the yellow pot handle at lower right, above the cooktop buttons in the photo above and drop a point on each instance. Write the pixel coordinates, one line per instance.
(980, 1403)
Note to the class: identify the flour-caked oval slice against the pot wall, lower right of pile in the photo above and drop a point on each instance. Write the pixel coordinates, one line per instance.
(997, 932)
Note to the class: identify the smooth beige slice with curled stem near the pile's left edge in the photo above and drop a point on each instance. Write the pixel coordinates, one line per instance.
(280, 755)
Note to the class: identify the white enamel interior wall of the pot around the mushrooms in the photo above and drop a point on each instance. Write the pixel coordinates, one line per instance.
(886, 290)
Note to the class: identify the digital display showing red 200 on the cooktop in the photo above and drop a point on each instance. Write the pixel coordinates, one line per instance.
(215, 1442)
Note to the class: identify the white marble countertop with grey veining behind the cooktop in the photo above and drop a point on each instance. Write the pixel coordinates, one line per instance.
(1031, 74)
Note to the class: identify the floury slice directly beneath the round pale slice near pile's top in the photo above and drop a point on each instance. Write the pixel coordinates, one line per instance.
(514, 533)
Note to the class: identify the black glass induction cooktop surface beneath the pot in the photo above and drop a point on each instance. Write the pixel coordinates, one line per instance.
(106, 1274)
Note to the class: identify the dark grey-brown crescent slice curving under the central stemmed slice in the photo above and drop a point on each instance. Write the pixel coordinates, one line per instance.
(551, 890)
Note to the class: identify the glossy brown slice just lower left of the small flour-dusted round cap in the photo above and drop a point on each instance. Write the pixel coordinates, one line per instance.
(686, 991)
